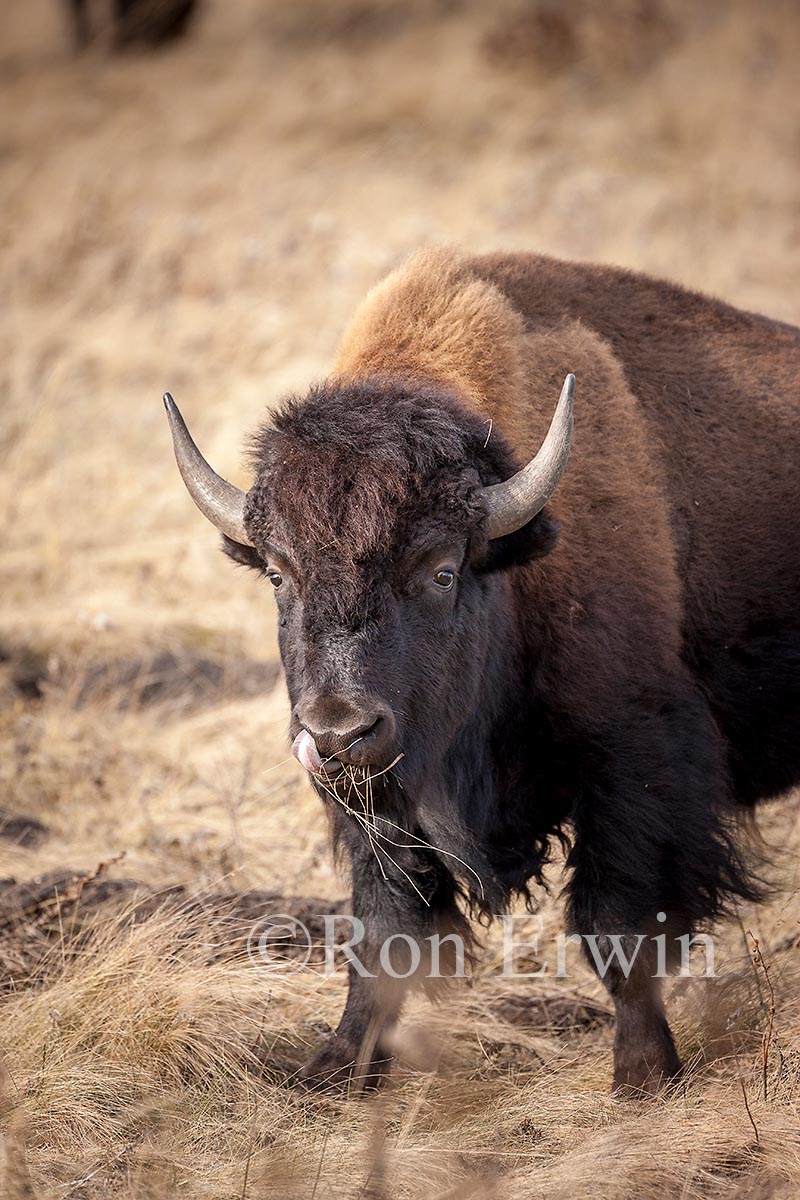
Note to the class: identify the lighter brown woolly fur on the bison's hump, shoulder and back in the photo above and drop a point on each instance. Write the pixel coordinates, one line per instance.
(502, 332)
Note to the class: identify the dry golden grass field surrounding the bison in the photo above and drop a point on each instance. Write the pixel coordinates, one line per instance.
(203, 221)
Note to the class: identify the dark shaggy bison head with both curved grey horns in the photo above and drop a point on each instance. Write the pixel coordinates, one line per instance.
(383, 518)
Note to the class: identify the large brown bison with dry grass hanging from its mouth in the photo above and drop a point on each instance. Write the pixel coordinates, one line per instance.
(484, 658)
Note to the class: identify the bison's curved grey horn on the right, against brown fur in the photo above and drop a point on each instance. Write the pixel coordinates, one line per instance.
(515, 502)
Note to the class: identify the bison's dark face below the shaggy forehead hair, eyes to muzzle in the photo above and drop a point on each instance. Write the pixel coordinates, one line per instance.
(384, 658)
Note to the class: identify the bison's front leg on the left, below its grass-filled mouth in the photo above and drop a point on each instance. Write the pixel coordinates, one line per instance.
(399, 904)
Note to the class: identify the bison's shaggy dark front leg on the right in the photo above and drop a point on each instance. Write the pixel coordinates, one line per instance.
(653, 859)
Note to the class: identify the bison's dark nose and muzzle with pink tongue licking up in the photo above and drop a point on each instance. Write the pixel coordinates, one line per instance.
(345, 733)
